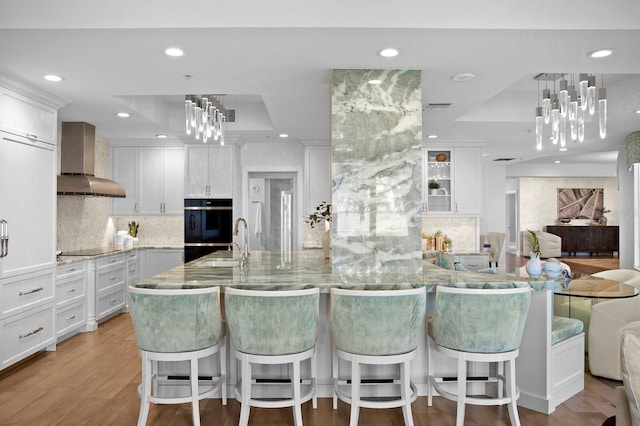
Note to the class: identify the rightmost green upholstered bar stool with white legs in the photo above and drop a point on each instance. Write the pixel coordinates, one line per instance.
(481, 325)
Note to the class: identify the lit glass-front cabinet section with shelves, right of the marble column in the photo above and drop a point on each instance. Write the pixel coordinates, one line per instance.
(438, 182)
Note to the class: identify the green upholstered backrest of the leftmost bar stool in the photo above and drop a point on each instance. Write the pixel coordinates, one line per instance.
(179, 320)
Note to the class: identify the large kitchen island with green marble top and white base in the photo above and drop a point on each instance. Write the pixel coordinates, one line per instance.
(546, 378)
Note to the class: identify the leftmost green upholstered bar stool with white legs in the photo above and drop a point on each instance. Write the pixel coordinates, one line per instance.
(178, 325)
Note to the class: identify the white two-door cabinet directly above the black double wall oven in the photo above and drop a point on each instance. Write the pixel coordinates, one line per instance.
(208, 171)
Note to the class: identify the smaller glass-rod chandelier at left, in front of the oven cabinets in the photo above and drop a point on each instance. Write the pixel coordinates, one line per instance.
(205, 117)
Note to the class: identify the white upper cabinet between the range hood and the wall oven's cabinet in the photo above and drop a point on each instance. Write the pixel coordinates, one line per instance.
(153, 178)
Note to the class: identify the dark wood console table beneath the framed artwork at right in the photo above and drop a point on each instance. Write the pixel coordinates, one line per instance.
(590, 239)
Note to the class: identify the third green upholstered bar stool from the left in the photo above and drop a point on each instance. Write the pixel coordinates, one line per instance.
(379, 327)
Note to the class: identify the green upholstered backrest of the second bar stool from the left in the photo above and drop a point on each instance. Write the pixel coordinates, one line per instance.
(272, 322)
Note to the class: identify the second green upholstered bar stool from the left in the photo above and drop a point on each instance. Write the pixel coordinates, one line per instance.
(273, 327)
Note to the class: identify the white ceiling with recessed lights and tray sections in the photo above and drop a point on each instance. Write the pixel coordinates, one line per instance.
(273, 62)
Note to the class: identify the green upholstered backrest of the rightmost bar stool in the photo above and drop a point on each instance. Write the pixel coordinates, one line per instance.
(480, 320)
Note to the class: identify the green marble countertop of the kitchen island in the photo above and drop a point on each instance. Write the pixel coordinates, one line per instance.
(308, 268)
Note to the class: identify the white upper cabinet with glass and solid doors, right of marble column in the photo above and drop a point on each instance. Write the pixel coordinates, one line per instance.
(452, 181)
